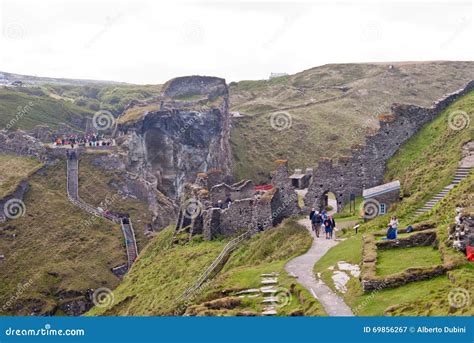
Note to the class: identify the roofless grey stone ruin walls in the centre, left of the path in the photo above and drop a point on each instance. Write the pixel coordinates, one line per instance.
(246, 211)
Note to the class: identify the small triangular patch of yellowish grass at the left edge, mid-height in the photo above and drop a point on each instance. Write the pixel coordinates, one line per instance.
(13, 170)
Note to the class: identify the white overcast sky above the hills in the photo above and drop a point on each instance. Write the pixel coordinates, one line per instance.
(153, 41)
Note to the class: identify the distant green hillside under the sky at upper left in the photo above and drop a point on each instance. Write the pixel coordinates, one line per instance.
(52, 104)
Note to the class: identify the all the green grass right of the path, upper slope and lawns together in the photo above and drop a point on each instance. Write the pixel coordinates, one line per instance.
(424, 165)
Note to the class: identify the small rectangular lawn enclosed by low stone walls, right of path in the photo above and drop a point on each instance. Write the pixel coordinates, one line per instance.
(391, 261)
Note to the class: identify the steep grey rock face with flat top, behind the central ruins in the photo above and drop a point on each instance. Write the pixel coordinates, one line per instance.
(184, 137)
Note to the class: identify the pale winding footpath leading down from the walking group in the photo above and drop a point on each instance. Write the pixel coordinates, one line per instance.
(302, 267)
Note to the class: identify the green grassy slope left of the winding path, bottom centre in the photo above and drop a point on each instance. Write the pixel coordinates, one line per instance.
(164, 271)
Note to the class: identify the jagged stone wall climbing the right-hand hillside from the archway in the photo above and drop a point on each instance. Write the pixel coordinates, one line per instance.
(366, 166)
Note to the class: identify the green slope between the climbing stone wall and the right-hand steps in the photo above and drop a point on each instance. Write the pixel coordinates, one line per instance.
(427, 162)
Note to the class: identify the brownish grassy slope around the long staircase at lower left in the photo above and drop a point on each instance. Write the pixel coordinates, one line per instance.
(59, 250)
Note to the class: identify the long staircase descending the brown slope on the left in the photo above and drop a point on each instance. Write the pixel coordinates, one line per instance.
(125, 222)
